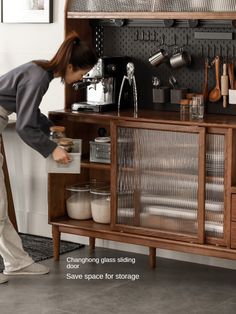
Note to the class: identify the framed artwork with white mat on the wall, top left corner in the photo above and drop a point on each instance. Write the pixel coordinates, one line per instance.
(27, 11)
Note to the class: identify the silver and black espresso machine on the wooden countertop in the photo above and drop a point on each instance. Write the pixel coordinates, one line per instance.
(102, 85)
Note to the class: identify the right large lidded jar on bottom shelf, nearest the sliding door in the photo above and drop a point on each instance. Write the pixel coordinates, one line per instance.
(100, 205)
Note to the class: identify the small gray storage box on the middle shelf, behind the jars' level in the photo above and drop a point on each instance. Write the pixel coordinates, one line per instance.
(100, 152)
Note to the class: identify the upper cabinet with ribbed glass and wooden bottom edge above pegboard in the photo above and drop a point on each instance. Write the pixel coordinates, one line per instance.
(196, 9)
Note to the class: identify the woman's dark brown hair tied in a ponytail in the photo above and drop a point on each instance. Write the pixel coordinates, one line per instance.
(72, 51)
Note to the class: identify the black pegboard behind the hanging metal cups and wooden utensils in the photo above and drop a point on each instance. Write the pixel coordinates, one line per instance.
(140, 43)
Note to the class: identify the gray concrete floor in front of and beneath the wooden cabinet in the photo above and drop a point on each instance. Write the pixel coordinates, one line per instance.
(172, 288)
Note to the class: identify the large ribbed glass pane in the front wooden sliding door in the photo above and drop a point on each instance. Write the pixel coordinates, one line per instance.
(162, 179)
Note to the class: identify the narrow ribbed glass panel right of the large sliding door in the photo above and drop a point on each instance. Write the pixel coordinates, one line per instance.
(214, 208)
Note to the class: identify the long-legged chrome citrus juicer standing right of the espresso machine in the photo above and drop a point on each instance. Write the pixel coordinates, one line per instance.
(132, 82)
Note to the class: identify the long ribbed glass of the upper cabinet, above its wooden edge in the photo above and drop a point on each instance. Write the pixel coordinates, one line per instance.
(152, 6)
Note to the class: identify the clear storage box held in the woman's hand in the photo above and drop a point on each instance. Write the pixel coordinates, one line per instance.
(72, 167)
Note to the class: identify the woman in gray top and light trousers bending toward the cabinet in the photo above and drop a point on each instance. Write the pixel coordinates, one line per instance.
(21, 91)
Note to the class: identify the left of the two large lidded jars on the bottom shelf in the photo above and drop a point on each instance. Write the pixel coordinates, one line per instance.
(78, 203)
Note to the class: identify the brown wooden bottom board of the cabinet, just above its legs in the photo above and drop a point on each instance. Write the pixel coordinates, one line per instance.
(89, 228)
